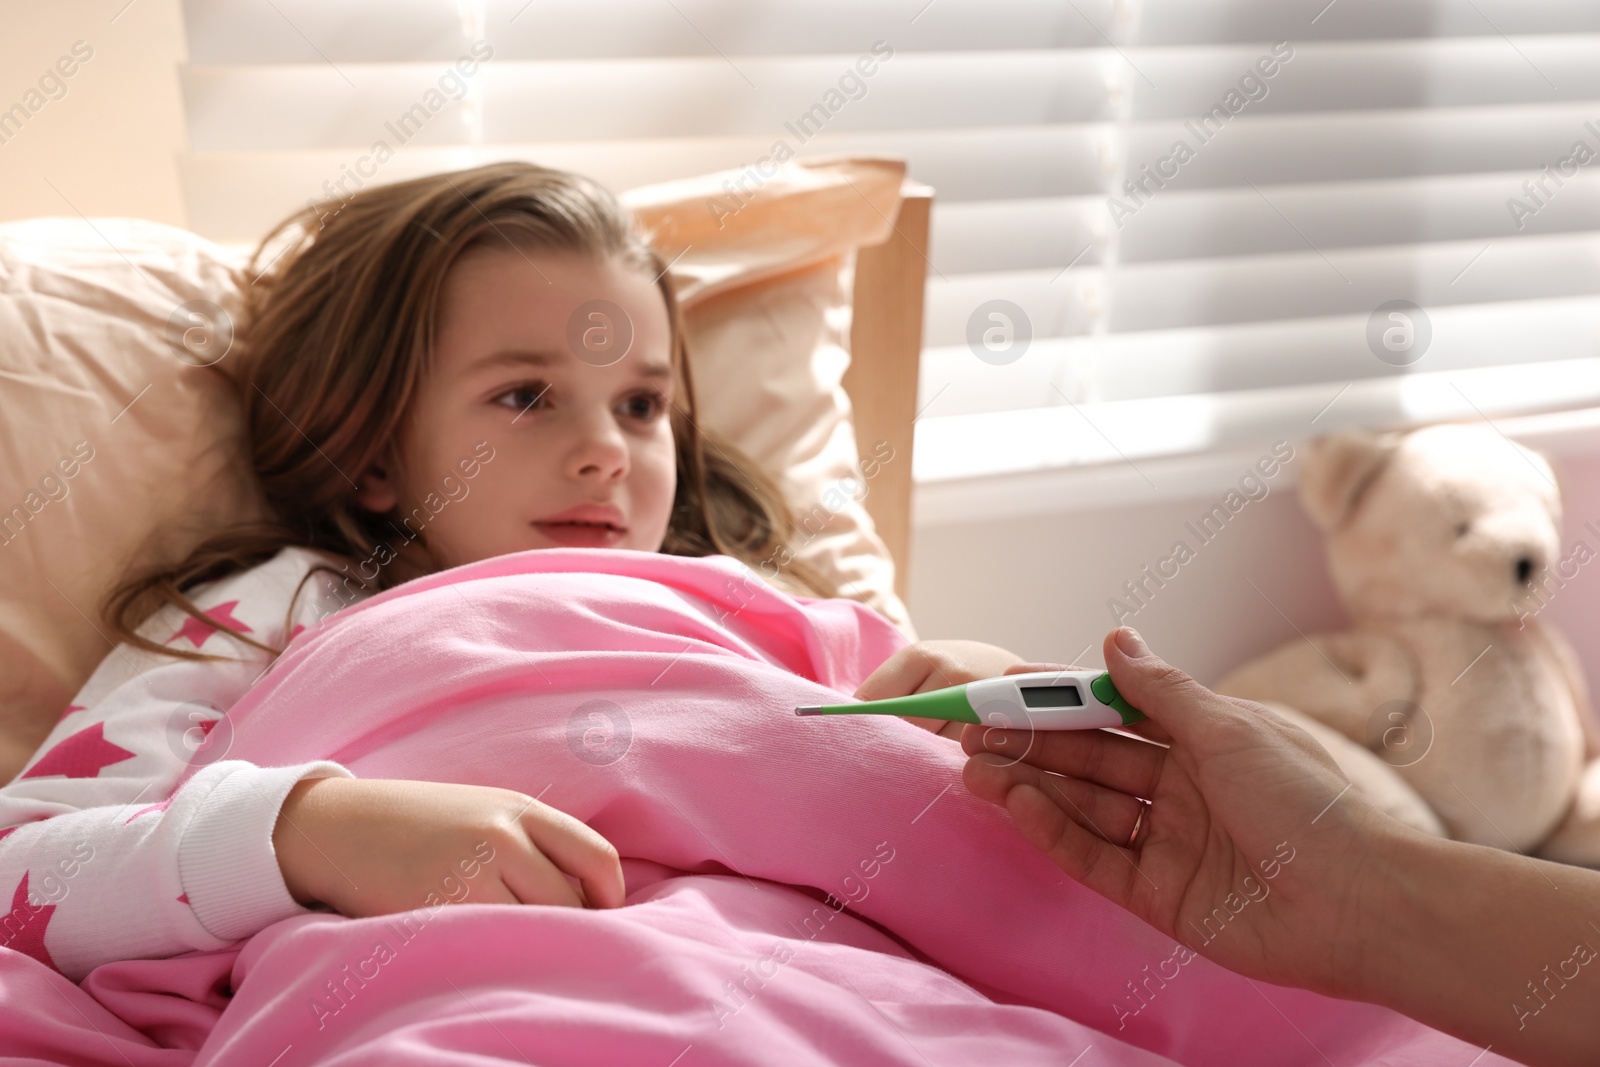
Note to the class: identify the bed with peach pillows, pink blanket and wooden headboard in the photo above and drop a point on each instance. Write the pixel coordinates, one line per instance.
(802, 892)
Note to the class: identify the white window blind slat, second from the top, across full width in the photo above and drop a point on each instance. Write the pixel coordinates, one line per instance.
(265, 106)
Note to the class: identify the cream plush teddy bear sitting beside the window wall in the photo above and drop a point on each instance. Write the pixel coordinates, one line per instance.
(1449, 703)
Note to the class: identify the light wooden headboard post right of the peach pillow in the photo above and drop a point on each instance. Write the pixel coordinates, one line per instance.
(886, 346)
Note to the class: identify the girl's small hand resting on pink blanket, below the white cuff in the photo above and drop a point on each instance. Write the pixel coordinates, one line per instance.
(372, 847)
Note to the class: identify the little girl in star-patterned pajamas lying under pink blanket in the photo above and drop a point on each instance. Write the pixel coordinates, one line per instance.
(441, 372)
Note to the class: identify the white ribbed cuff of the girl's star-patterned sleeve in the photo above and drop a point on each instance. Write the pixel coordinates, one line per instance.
(226, 863)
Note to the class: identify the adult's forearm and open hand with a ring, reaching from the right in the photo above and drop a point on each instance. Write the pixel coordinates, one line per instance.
(1254, 855)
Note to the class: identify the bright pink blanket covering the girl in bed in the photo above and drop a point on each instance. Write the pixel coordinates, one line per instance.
(801, 890)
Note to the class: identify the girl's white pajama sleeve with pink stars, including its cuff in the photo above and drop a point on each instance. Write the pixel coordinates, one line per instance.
(100, 860)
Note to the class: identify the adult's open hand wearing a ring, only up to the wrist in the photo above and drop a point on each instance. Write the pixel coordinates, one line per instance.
(1250, 850)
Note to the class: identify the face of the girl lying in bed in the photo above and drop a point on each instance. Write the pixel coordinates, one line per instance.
(535, 430)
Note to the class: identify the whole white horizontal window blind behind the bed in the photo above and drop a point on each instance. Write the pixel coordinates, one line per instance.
(1202, 217)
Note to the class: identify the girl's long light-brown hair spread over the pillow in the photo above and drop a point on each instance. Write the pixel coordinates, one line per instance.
(334, 348)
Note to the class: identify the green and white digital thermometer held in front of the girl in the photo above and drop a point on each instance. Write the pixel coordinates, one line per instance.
(1049, 700)
